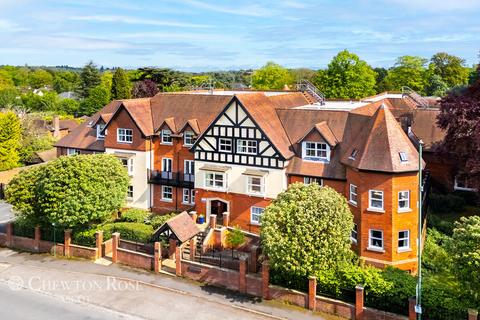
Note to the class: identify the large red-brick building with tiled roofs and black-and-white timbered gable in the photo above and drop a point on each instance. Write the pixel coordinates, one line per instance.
(234, 152)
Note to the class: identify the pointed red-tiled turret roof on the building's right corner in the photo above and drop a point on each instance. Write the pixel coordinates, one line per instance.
(379, 145)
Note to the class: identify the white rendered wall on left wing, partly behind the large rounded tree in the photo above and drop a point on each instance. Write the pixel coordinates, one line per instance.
(139, 179)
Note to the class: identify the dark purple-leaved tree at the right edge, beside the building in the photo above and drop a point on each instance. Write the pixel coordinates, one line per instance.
(460, 118)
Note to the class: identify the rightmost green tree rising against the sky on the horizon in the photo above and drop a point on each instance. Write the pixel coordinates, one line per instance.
(450, 68)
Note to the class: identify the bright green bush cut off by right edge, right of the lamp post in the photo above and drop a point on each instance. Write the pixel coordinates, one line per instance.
(464, 249)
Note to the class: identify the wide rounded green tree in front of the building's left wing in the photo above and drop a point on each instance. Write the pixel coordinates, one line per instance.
(70, 191)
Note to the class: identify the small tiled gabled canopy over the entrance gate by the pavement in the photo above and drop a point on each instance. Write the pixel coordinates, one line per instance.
(181, 227)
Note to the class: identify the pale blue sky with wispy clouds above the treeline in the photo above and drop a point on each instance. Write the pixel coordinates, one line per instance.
(197, 35)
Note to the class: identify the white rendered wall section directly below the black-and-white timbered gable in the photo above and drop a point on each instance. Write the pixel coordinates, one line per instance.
(275, 180)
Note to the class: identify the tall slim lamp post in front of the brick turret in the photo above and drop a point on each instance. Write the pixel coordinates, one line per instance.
(418, 304)
